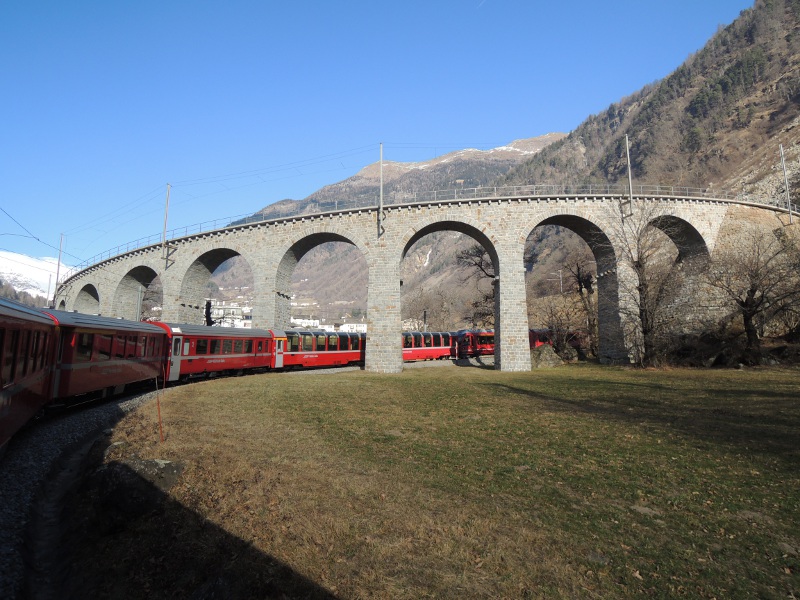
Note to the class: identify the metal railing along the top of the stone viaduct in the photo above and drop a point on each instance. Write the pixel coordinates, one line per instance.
(285, 210)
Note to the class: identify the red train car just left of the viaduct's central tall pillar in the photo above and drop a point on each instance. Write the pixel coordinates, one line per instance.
(317, 348)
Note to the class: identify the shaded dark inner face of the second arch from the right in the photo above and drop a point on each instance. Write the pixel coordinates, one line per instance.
(611, 342)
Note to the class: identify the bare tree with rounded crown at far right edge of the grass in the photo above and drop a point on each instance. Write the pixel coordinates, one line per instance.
(760, 277)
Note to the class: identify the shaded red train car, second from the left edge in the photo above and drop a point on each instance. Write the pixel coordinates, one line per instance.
(100, 354)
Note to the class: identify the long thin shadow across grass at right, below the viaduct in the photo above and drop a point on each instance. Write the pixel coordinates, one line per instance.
(753, 420)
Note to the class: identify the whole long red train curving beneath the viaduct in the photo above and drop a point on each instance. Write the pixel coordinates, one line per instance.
(49, 355)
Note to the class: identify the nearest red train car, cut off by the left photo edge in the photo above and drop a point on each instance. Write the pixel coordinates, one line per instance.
(27, 342)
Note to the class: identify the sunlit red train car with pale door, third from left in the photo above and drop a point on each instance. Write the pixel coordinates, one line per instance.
(201, 351)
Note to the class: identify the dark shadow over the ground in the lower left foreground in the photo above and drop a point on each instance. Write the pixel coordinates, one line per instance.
(122, 536)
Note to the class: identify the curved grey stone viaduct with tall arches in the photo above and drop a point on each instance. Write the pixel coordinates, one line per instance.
(697, 226)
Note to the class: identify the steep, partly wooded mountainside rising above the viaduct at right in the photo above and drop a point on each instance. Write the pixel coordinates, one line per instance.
(717, 121)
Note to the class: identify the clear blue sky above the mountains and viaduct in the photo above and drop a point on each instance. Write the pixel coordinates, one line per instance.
(243, 103)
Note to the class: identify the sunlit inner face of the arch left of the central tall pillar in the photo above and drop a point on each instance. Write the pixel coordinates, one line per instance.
(298, 246)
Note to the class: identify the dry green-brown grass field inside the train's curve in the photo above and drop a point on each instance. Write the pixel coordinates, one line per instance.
(579, 481)
